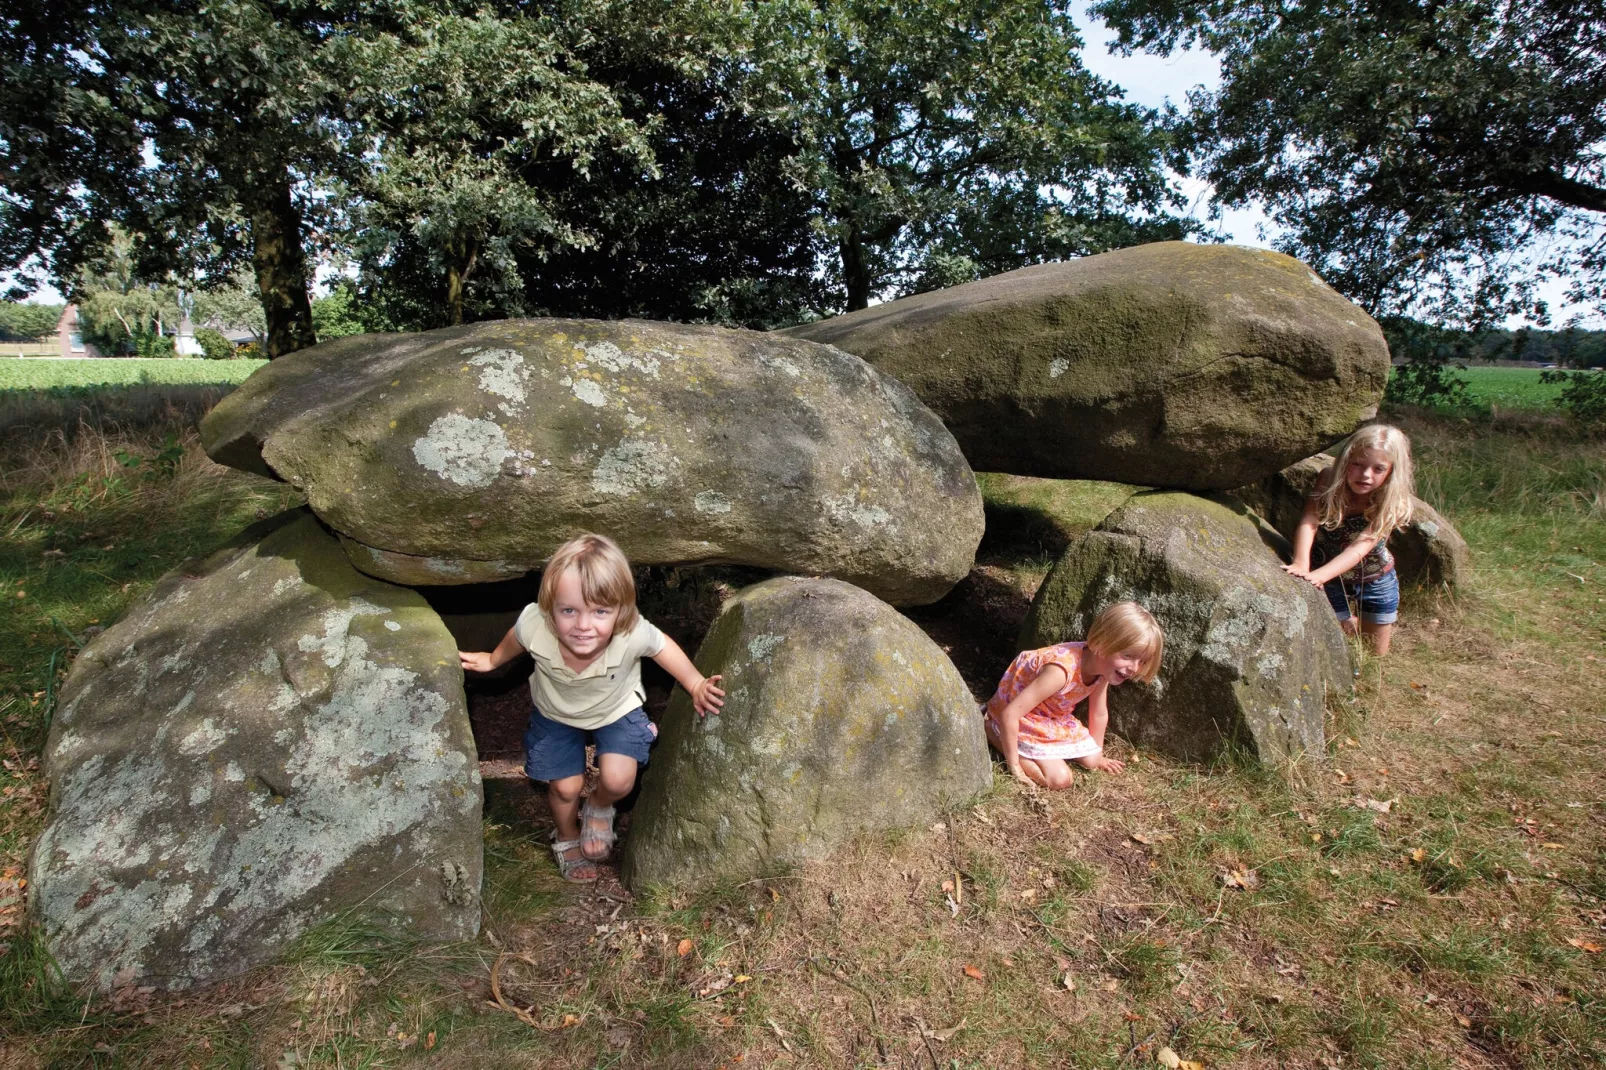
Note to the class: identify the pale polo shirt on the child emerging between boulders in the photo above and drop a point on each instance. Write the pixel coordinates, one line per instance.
(603, 692)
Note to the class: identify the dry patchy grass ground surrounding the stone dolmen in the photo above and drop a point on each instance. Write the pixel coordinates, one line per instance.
(1449, 931)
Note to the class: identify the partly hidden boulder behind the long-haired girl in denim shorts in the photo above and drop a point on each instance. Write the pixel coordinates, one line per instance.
(1429, 552)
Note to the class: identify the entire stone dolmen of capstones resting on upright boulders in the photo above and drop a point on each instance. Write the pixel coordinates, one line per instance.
(277, 735)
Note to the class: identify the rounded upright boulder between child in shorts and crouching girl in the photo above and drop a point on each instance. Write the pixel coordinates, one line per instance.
(841, 717)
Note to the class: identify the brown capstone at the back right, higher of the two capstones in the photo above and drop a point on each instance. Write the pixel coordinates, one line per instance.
(1167, 366)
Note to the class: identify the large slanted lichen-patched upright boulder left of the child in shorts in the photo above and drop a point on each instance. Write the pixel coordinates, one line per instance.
(266, 741)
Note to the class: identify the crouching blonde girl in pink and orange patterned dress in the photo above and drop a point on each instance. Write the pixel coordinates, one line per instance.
(1032, 717)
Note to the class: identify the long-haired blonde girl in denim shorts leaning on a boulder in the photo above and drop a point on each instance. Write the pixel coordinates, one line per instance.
(1342, 542)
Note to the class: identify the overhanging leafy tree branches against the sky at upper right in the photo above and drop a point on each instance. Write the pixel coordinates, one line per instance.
(1416, 152)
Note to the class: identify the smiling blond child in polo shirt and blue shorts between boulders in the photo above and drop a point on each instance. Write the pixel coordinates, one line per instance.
(589, 640)
